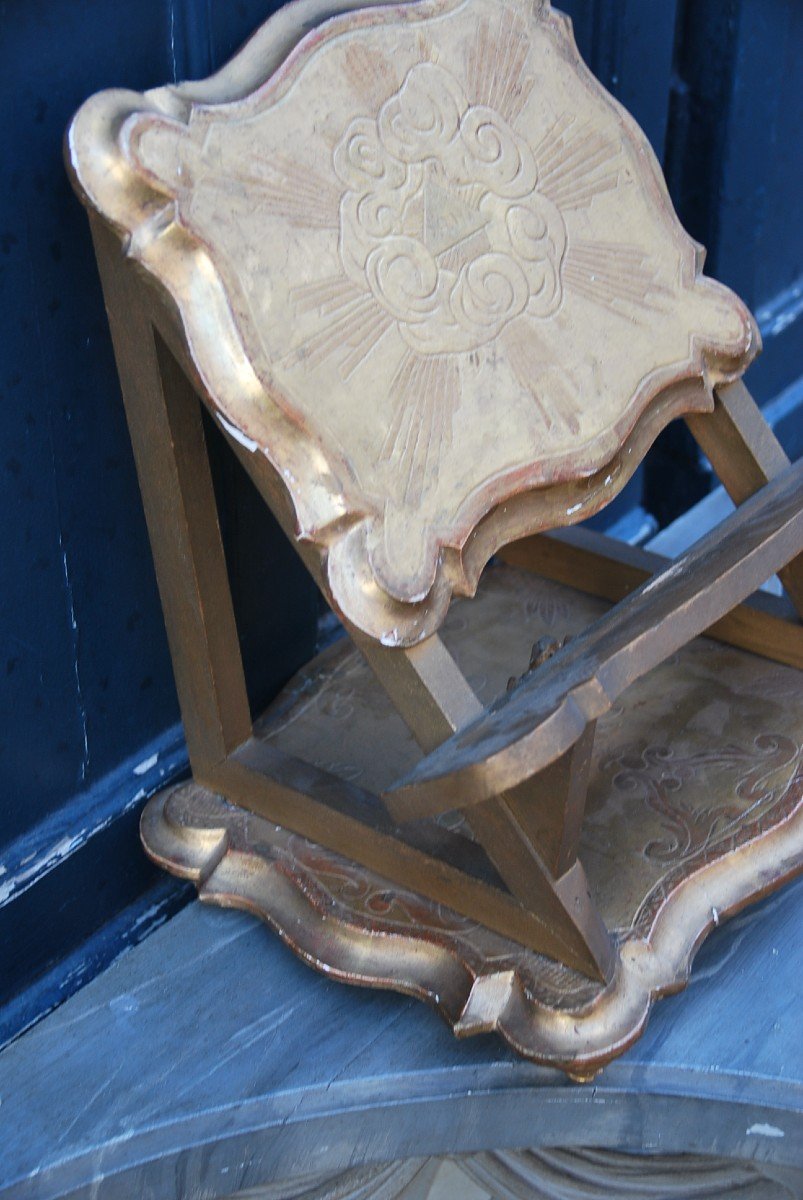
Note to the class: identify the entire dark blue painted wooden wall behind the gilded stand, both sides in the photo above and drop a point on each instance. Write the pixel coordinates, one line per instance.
(88, 710)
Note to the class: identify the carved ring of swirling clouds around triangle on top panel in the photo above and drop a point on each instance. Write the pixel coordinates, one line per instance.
(442, 219)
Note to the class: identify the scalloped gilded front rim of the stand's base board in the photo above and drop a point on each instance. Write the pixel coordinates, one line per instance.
(357, 928)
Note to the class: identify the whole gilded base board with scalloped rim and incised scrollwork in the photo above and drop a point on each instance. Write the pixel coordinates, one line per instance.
(694, 811)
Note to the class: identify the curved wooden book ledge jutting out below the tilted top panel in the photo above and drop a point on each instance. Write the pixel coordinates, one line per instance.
(548, 712)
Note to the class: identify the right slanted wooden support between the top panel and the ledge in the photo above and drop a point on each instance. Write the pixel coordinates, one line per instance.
(746, 454)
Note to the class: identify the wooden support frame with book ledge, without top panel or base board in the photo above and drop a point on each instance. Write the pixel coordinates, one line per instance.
(519, 772)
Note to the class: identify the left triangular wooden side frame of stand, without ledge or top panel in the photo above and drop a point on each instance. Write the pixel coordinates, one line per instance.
(548, 910)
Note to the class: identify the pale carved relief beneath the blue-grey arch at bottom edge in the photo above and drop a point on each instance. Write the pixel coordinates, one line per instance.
(548, 1175)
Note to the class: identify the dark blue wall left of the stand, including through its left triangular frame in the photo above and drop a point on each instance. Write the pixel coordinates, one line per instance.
(86, 680)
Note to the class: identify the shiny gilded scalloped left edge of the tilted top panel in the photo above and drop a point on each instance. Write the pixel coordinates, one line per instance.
(143, 215)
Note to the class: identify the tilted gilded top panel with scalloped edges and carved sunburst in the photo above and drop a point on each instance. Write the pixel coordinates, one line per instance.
(430, 269)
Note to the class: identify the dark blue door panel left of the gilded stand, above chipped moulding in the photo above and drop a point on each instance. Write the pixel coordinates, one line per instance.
(85, 658)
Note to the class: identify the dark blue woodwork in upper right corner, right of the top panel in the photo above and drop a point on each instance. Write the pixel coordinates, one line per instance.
(735, 163)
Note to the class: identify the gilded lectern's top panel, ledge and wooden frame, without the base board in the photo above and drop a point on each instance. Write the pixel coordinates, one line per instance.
(398, 328)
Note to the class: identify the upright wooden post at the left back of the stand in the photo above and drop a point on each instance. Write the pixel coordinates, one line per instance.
(164, 417)
